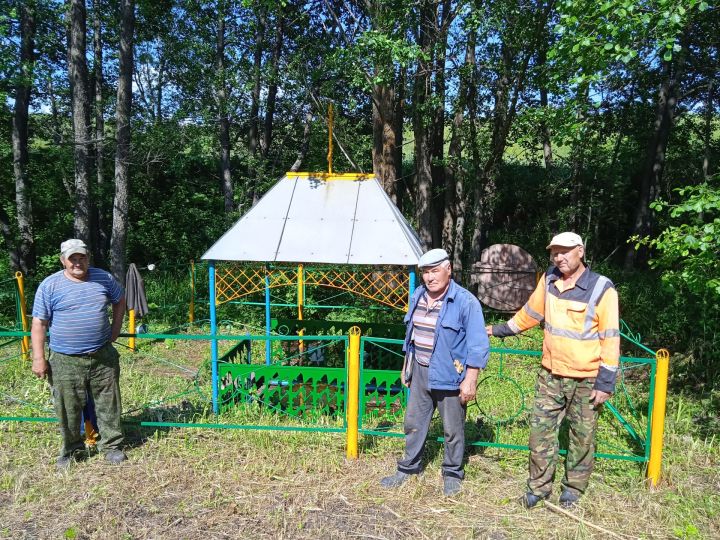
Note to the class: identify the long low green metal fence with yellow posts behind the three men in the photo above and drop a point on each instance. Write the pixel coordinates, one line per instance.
(336, 383)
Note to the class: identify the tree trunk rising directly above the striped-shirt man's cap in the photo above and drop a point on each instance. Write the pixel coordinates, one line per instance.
(78, 72)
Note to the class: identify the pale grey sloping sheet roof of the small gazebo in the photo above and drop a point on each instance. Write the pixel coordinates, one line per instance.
(306, 218)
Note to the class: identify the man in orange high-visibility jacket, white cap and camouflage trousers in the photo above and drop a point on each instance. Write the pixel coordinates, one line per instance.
(581, 352)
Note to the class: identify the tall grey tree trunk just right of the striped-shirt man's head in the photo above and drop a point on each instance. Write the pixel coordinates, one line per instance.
(122, 153)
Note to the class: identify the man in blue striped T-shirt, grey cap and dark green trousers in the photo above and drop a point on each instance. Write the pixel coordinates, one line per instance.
(73, 304)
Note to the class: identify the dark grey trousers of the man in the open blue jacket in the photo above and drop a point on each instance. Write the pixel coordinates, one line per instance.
(420, 409)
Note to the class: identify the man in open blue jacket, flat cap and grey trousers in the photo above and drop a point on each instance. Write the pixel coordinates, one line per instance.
(445, 348)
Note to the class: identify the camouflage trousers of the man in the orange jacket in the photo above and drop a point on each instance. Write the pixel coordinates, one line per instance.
(557, 398)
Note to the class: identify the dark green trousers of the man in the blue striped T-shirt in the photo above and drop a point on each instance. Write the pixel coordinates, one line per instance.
(71, 378)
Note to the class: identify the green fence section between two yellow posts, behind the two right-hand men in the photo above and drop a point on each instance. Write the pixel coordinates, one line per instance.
(499, 417)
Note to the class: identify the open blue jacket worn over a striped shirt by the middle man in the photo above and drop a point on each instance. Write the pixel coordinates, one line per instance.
(459, 335)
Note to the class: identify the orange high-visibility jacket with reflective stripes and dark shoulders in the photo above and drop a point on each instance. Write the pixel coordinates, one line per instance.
(582, 327)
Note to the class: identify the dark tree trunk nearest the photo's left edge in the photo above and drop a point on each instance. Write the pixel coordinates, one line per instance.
(26, 250)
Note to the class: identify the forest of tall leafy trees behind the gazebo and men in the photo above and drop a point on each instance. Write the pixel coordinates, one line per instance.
(148, 127)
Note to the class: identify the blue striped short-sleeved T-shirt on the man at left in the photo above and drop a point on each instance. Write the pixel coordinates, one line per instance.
(77, 310)
